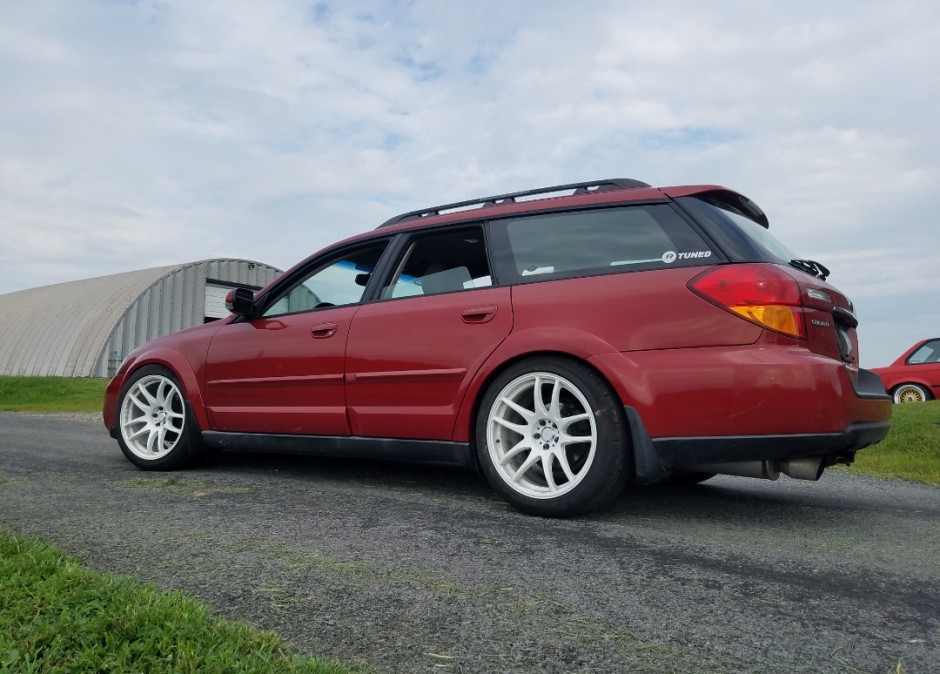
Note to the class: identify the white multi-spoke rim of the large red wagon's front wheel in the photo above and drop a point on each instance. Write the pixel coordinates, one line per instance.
(153, 417)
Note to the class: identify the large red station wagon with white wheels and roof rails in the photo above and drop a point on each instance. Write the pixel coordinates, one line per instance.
(564, 341)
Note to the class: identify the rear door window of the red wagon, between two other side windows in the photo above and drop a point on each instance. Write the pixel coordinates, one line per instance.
(441, 262)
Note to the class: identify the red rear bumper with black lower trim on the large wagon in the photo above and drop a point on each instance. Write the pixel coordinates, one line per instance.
(689, 407)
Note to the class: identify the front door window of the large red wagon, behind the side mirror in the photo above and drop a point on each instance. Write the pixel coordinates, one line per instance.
(337, 281)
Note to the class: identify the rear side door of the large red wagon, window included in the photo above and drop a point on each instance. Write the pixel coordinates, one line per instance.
(411, 355)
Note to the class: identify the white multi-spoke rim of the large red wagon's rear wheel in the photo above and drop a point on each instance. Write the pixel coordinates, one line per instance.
(541, 435)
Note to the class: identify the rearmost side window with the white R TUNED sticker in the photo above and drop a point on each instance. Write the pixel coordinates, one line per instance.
(601, 241)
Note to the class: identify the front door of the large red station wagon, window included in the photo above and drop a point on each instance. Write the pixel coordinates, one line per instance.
(282, 370)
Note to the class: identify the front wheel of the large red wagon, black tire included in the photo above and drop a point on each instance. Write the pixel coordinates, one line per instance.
(156, 429)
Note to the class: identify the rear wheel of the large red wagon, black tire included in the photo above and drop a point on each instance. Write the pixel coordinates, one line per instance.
(552, 438)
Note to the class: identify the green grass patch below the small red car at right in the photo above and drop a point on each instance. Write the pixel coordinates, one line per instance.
(912, 449)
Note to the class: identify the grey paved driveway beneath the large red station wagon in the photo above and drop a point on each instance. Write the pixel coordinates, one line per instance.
(417, 569)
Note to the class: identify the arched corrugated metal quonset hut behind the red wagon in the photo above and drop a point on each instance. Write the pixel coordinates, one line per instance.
(86, 328)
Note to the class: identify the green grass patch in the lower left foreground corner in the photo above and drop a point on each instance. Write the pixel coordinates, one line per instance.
(58, 616)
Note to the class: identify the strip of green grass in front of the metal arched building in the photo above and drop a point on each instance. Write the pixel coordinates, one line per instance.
(51, 394)
